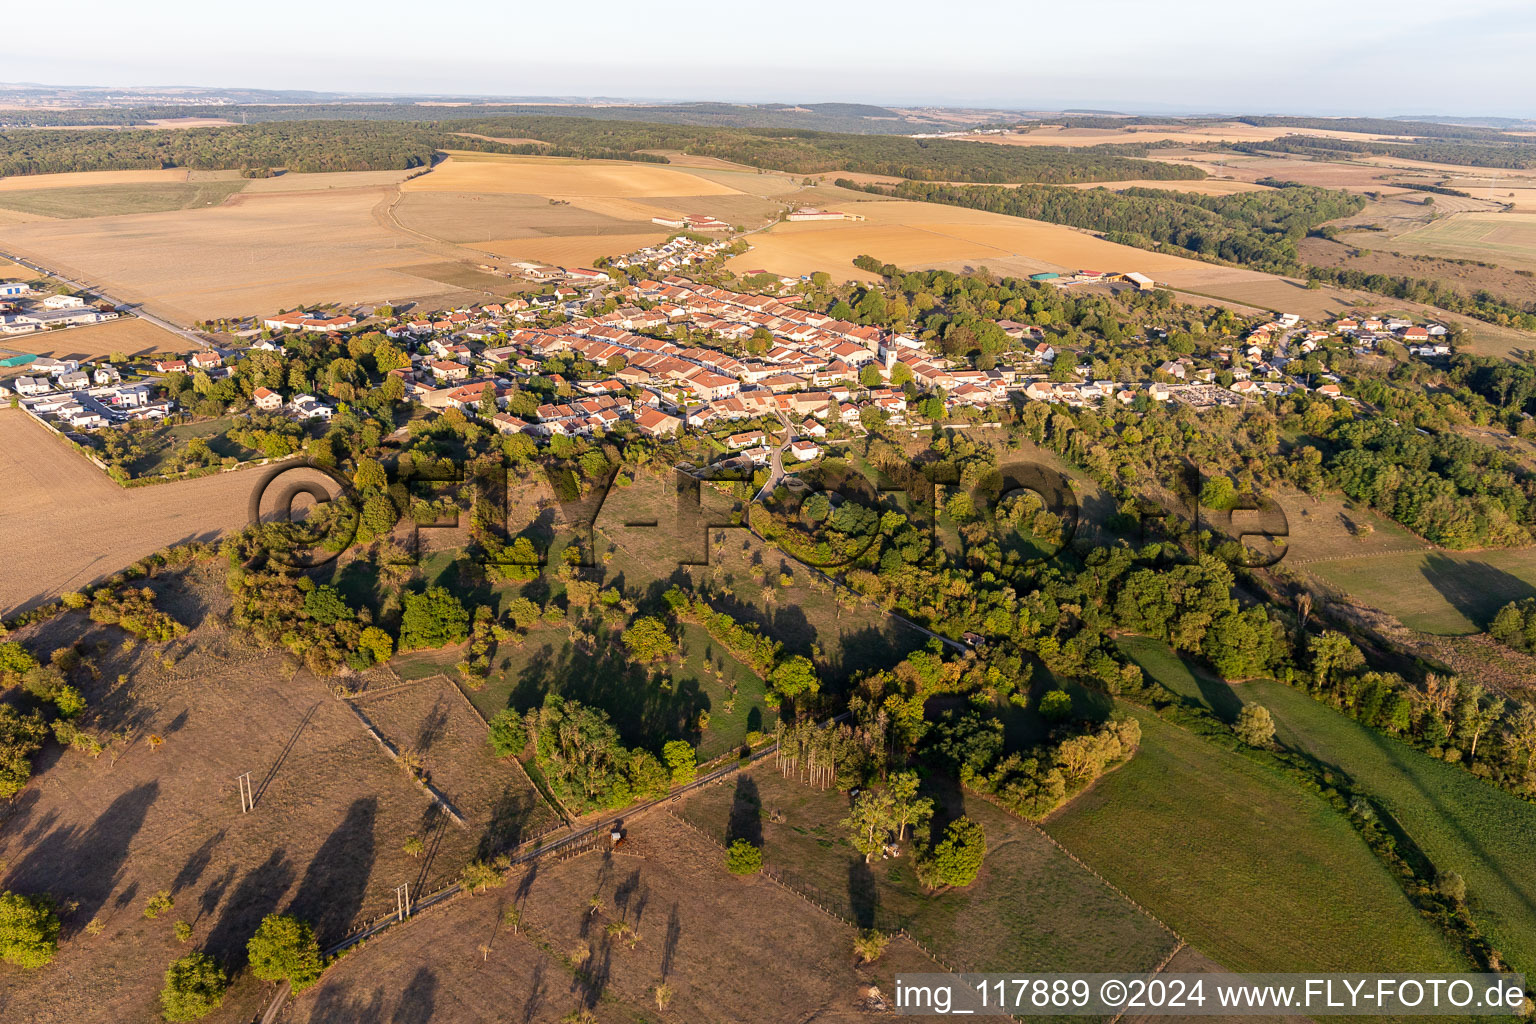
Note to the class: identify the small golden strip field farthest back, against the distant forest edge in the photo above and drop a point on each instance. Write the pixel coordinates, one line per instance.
(560, 177)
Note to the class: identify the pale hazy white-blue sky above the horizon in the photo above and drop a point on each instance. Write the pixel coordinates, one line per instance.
(1368, 58)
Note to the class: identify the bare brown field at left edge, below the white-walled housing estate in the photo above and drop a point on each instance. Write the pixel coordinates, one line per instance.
(55, 501)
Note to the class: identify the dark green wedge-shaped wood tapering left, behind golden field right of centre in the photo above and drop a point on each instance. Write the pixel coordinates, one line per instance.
(1257, 230)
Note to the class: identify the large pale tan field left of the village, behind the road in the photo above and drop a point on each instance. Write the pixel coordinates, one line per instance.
(251, 256)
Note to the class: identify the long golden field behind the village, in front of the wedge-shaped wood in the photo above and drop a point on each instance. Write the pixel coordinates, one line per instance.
(927, 234)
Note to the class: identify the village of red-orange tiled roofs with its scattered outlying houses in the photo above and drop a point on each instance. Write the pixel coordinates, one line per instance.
(798, 369)
